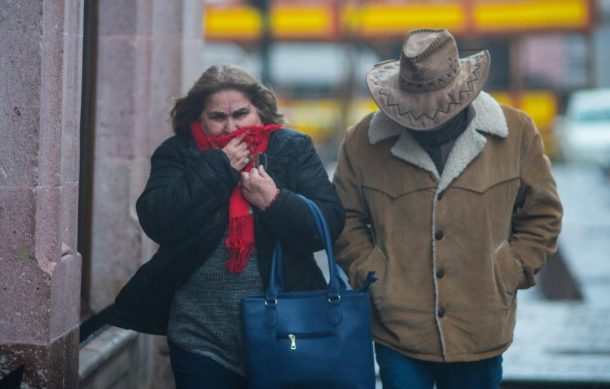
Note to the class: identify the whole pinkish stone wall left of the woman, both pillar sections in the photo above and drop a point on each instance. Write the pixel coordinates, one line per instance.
(144, 49)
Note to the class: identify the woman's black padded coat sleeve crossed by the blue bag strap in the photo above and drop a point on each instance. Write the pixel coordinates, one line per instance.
(288, 218)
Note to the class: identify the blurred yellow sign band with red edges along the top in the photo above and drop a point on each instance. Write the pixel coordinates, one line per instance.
(330, 20)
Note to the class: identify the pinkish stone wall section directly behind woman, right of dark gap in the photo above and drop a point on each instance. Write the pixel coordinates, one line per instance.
(140, 60)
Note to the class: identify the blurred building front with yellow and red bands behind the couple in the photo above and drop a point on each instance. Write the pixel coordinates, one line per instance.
(315, 53)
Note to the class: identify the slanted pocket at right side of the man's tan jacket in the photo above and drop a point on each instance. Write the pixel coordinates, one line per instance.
(508, 273)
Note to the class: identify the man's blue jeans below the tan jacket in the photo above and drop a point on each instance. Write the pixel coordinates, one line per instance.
(398, 372)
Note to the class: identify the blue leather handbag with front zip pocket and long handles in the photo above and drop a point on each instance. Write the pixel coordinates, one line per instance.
(311, 339)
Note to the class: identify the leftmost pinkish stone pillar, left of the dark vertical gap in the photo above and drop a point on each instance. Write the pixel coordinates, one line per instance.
(40, 270)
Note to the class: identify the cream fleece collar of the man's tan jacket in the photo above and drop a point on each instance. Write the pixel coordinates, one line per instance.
(486, 117)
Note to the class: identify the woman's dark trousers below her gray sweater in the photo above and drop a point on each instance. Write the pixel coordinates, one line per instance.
(192, 371)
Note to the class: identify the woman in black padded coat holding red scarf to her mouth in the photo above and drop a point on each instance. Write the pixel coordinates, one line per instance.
(221, 191)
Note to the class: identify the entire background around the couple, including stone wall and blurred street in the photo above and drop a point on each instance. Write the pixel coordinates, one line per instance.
(86, 90)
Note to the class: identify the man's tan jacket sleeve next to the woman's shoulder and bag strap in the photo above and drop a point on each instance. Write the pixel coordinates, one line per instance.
(355, 248)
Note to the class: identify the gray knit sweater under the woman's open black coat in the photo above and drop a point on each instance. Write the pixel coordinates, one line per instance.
(205, 314)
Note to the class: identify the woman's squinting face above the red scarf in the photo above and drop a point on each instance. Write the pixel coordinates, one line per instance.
(226, 111)
